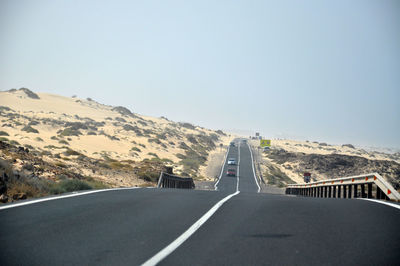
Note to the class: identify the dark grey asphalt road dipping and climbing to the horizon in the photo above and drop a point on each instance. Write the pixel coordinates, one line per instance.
(131, 227)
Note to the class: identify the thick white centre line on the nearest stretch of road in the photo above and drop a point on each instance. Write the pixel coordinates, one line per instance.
(182, 238)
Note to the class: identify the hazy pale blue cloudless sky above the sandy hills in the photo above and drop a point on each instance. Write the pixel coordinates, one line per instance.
(316, 70)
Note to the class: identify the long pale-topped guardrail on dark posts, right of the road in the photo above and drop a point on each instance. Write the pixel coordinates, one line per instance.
(363, 186)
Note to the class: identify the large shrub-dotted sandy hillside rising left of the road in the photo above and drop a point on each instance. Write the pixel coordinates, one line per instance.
(107, 143)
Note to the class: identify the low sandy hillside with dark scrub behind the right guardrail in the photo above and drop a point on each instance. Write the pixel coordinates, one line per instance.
(287, 160)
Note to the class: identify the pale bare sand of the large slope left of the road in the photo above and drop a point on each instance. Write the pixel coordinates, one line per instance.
(107, 138)
